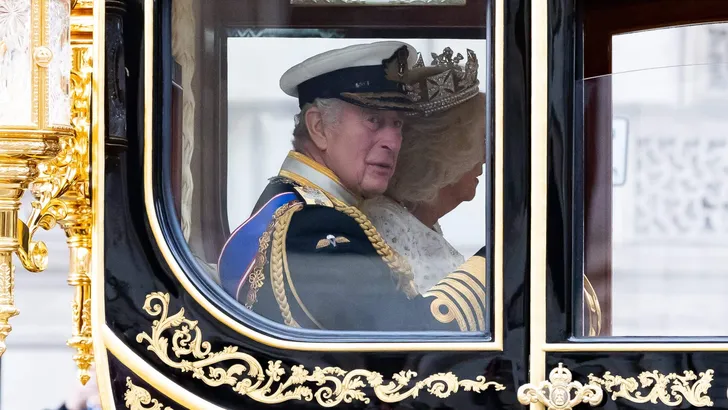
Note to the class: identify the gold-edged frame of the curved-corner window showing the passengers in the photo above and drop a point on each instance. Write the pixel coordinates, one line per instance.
(187, 269)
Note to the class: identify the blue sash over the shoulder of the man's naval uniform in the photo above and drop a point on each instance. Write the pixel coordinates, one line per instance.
(238, 255)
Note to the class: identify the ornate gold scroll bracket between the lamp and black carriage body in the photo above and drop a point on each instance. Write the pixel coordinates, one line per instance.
(62, 195)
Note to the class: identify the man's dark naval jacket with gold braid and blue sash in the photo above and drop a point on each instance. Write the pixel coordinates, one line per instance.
(307, 257)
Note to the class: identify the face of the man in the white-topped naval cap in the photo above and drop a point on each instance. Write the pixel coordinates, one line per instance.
(362, 148)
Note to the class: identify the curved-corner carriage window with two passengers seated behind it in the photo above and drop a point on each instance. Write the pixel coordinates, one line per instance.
(332, 178)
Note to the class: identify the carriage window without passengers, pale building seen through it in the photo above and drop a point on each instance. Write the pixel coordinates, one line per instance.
(656, 196)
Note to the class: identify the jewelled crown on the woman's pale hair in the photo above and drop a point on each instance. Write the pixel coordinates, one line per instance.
(452, 84)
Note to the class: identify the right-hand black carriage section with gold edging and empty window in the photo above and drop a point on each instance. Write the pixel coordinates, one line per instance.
(630, 266)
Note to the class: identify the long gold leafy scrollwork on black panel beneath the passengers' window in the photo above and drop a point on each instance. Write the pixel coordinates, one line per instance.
(329, 386)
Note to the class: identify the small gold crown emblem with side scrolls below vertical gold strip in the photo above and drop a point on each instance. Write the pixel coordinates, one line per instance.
(560, 392)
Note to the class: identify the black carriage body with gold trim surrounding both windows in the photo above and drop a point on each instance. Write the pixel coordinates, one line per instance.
(166, 322)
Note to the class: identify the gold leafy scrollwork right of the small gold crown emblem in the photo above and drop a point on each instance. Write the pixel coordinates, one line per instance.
(669, 389)
